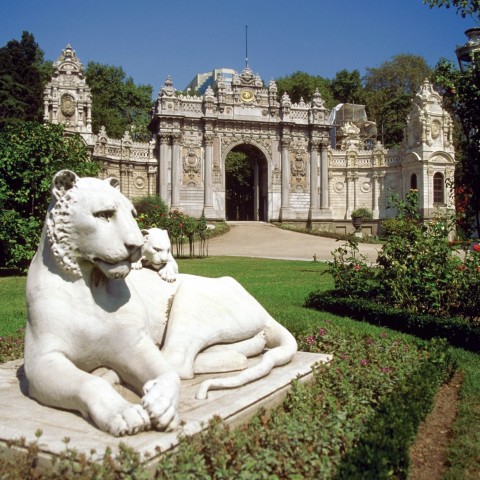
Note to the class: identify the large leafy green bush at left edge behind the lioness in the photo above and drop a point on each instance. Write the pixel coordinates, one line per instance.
(30, 155)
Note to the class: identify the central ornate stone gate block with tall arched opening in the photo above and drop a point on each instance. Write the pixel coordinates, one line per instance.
(287, 145)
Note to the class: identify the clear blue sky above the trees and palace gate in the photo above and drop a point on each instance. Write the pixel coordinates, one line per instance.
(152, 39)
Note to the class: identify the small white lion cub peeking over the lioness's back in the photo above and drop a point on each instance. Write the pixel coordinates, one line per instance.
(156, 254)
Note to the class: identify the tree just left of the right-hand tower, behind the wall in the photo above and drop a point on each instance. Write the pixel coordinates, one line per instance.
(389, 90)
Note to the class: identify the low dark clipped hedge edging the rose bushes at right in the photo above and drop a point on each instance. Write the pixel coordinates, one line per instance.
(458, 332)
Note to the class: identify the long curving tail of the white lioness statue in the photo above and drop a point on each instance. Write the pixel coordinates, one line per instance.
(282, 347)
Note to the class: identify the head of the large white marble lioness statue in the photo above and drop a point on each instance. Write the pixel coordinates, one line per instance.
(90, 222)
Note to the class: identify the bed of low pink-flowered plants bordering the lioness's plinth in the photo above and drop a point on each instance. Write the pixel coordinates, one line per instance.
(356, 419)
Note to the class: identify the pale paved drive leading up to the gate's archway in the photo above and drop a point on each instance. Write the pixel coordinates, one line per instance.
(258, 239)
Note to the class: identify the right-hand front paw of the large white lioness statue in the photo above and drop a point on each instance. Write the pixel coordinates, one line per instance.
(160, 400)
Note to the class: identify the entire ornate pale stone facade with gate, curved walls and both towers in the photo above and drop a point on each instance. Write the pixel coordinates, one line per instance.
(299, 176)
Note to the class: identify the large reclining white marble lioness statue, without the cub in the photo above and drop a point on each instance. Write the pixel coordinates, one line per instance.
(88, 309)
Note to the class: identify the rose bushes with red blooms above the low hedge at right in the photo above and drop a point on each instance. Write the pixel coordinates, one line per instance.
(417, 269)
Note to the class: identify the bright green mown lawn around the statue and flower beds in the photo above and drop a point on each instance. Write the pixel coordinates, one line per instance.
(281, 286)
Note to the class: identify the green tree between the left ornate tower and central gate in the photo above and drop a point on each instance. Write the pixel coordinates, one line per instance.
(117, 103)
